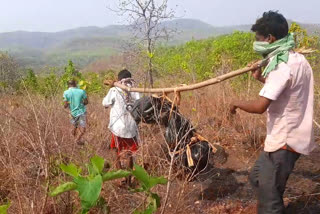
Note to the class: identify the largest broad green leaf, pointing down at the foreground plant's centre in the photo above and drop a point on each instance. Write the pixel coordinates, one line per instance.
(89, 191)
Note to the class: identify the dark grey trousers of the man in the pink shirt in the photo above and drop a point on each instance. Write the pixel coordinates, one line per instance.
(269, 176)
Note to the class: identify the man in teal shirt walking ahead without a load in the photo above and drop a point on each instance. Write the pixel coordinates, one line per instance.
(76, 99)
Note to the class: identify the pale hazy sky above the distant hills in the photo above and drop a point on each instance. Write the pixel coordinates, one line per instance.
(56, 15)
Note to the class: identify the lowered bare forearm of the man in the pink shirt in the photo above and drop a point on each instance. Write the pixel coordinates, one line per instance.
(258, 106)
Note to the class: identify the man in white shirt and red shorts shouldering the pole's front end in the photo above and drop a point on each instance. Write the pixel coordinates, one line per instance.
(122, 125)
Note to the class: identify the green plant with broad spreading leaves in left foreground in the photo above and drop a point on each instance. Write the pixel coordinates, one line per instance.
(89, 186)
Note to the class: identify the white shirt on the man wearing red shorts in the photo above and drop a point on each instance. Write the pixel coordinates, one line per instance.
(121, 122)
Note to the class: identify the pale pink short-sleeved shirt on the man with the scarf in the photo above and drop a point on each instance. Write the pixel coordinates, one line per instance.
(290, 114)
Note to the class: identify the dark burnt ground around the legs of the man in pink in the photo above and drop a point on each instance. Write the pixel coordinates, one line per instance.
(225, 188)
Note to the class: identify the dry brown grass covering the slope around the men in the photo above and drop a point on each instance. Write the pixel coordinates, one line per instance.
(35, 139)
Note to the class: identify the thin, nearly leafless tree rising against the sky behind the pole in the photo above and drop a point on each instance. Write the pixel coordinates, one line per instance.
(146, 20)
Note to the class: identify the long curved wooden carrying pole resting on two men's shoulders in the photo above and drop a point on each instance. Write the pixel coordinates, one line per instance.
(191, 87)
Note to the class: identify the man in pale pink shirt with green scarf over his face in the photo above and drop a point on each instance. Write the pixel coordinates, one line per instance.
(287, 96)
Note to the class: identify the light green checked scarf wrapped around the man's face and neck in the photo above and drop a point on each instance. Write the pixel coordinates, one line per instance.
(279, 50)
